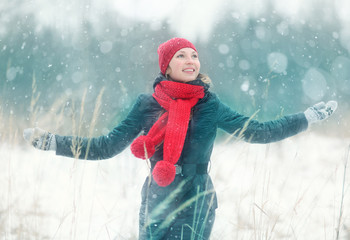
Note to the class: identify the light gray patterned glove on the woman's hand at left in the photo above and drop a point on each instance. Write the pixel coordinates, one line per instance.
(40, 139)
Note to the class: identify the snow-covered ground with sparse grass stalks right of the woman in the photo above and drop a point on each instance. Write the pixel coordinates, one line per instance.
(286, 190)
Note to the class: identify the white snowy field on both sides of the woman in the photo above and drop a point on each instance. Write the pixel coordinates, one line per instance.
(286, 190)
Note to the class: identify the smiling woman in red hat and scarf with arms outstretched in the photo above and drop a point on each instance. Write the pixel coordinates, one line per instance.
(180, 121)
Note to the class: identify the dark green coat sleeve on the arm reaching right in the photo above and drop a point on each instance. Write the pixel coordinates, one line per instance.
(256, 132)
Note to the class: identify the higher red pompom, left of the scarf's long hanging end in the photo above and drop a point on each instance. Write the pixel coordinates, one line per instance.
(141, 144)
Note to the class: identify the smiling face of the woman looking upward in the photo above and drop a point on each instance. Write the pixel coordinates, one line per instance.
(184, 66)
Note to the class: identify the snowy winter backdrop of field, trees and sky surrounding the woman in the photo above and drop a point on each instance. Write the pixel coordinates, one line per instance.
(76, 67)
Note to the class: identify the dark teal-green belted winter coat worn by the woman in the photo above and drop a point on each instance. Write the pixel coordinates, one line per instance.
(208, 115)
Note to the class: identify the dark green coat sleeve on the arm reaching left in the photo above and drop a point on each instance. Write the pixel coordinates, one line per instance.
(107, 146)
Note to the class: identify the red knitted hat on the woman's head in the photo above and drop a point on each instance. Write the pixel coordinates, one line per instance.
(167, 50)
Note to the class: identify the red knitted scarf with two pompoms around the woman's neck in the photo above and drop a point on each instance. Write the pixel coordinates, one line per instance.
(177, 99)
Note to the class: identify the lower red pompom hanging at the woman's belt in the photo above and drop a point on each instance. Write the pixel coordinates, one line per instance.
(164, 173)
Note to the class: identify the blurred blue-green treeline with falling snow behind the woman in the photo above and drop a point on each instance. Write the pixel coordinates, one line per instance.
(47, 75)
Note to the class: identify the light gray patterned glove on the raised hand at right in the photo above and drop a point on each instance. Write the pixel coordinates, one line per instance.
(320, 111)
